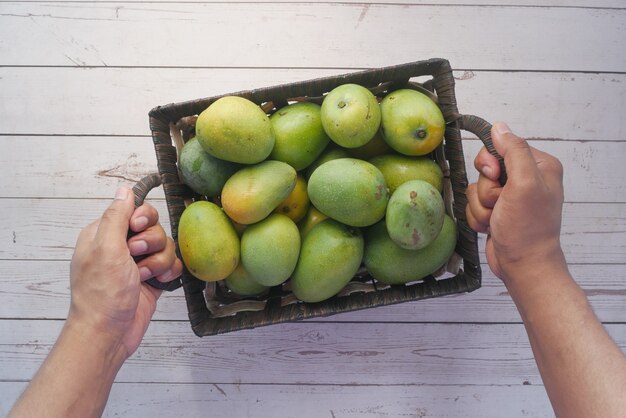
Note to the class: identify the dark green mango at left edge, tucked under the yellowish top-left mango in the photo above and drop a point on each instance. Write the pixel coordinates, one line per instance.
(202, 172)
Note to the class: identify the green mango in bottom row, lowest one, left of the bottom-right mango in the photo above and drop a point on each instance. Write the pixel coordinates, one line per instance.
(330, 256)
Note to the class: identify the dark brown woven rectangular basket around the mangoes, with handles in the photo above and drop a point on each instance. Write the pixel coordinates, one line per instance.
(213, 309)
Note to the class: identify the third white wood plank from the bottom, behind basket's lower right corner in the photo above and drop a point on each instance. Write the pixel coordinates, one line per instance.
(40, 290)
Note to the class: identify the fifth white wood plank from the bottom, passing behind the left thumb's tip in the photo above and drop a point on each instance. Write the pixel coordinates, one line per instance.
(93, 167)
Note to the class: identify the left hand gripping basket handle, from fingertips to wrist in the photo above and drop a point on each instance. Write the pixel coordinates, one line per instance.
(108, 293)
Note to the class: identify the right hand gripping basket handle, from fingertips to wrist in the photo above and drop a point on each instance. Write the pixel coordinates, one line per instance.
(523, 218)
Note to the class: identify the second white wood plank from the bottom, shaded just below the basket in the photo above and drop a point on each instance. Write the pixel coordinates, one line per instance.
(307, 352)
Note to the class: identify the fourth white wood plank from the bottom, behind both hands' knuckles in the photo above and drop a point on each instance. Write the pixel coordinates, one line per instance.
(46, 229)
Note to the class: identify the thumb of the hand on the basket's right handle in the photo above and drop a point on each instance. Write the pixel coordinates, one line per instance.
(516, 152)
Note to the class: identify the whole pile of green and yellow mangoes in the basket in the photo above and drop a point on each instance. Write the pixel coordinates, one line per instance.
(312, 193)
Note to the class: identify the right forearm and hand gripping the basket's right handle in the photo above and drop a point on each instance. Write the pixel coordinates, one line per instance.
(582, 368)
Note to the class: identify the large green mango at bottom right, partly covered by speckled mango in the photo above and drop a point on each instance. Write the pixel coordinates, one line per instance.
(389, 263)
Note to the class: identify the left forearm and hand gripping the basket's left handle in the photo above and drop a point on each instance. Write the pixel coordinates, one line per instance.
(109, 312)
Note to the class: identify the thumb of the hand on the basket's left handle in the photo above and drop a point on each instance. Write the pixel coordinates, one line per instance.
(115, 219)
